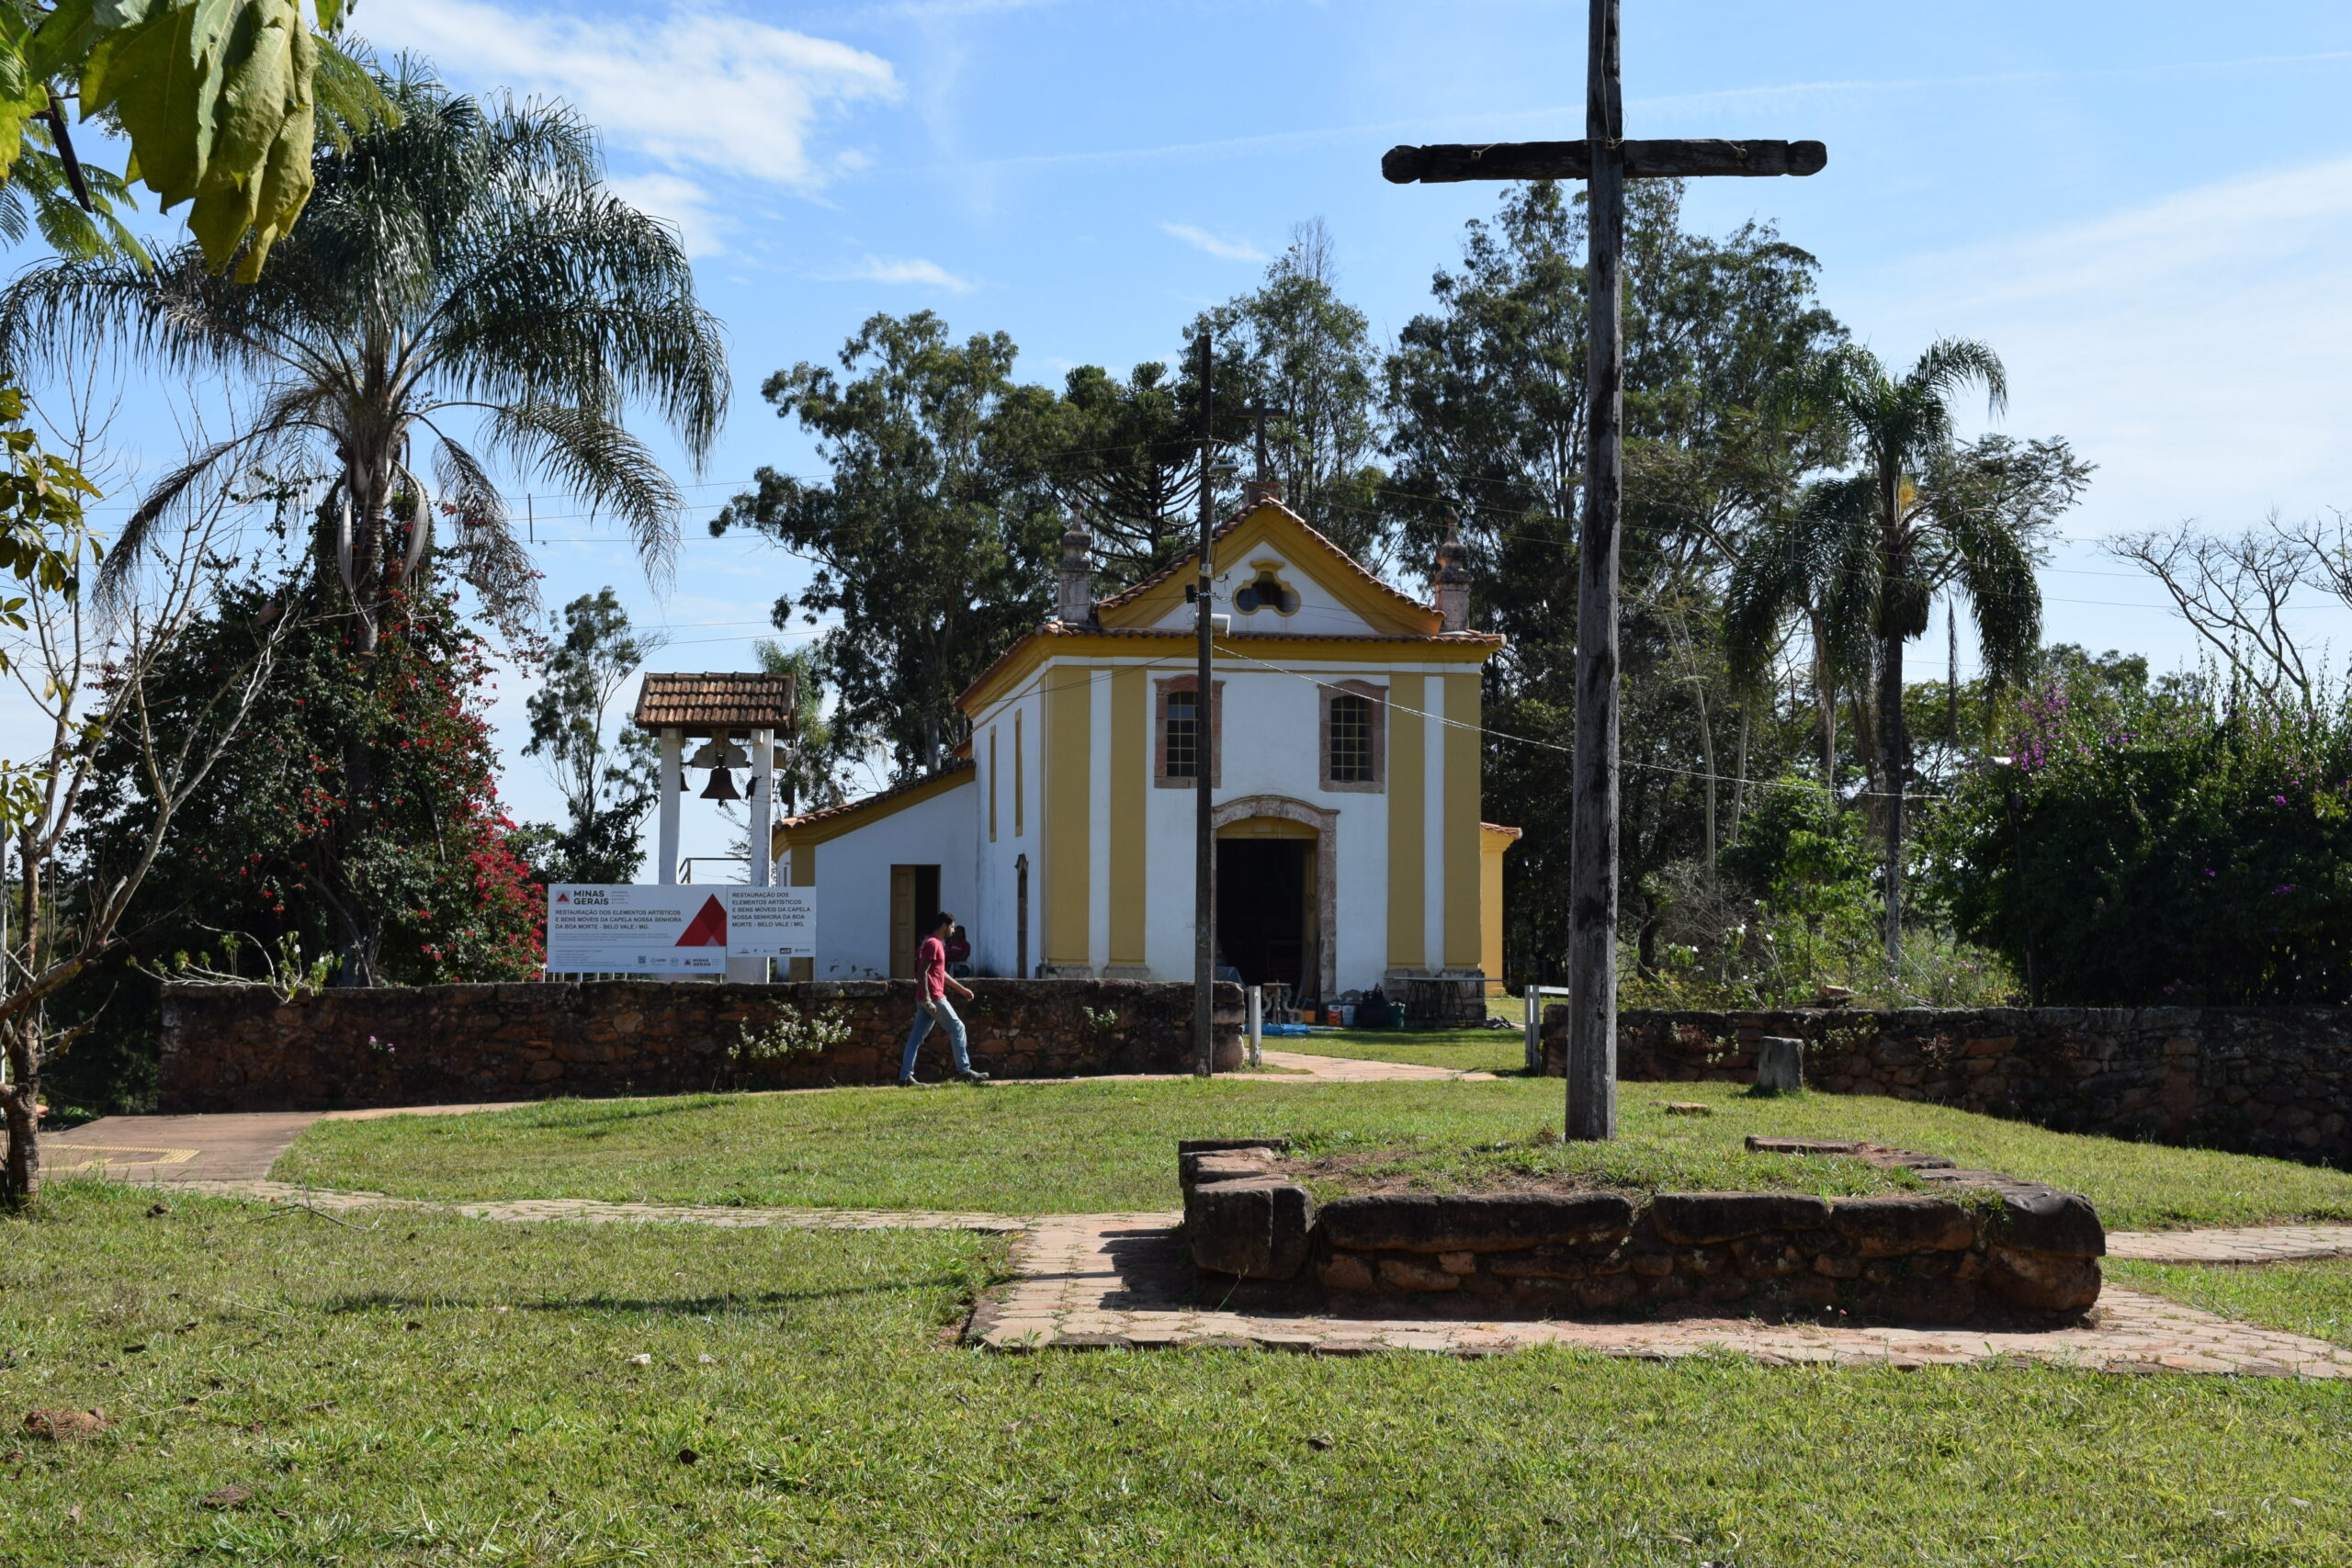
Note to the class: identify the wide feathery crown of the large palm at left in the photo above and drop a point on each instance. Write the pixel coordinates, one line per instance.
(457, 272)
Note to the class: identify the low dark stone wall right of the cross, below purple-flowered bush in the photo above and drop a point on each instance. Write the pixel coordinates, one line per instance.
(2271, 1080)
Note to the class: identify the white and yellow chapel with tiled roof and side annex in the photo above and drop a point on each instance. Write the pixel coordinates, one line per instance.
(1342, 742)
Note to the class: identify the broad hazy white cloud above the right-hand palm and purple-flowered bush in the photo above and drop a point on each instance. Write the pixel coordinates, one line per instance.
(2193, 347)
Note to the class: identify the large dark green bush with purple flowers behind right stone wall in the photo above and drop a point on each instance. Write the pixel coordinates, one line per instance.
(2160, 847)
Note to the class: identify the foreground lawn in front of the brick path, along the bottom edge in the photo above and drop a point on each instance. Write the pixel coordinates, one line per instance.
(385, 1409)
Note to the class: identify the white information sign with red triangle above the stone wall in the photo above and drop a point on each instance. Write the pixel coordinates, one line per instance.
(676, 930)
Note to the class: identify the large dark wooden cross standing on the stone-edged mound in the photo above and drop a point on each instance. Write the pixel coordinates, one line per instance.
(1608, 161)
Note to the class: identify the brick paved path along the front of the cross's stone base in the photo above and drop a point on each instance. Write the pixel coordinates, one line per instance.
(1093, 1282)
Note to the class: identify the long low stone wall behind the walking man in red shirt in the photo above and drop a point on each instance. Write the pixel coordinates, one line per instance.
(446, 1045)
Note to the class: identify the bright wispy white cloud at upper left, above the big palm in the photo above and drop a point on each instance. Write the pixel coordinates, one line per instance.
(690, 88)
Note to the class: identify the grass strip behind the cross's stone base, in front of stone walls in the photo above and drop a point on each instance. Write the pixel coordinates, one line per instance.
(1085, 1148)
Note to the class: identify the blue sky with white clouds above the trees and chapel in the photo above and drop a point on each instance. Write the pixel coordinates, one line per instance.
(2144, 208)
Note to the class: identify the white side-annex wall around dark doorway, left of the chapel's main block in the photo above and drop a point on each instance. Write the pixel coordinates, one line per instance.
(853, 880)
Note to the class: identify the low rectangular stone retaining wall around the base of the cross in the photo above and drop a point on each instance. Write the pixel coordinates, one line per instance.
(1977, 1245)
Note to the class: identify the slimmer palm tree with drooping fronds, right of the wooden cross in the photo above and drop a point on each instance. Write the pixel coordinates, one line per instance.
(1927, 523)
